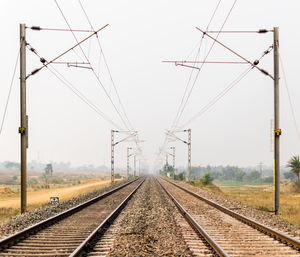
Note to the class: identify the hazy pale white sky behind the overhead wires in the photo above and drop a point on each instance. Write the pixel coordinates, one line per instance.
(236, 130)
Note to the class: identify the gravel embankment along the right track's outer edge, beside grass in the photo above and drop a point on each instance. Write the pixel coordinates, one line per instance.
(263, 217)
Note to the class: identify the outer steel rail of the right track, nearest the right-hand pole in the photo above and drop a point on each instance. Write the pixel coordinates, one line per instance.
(261, 227)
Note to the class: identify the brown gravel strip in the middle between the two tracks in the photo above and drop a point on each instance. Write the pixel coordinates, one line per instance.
(149, 227)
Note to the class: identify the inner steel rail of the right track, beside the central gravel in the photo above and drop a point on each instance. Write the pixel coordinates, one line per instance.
(196, 226)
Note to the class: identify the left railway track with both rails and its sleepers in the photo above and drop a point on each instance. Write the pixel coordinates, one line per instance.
(72, 232)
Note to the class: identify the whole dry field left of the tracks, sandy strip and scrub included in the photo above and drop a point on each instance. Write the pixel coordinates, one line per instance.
(63, 185)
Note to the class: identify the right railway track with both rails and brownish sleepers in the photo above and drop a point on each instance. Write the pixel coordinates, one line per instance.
(228, 233)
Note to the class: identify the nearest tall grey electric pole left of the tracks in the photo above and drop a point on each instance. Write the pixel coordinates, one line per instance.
(23, 129)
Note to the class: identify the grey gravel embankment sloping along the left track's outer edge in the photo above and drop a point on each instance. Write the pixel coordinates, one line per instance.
(19, 222)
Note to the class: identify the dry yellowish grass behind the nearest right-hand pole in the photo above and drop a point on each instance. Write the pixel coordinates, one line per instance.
(262, 198)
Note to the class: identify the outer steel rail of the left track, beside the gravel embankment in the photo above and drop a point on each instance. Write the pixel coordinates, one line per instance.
(14, 238)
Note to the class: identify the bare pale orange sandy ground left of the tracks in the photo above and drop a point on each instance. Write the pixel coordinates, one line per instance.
(38, 198)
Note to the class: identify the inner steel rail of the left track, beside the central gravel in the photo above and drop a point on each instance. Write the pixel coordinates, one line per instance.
(88, 243)
